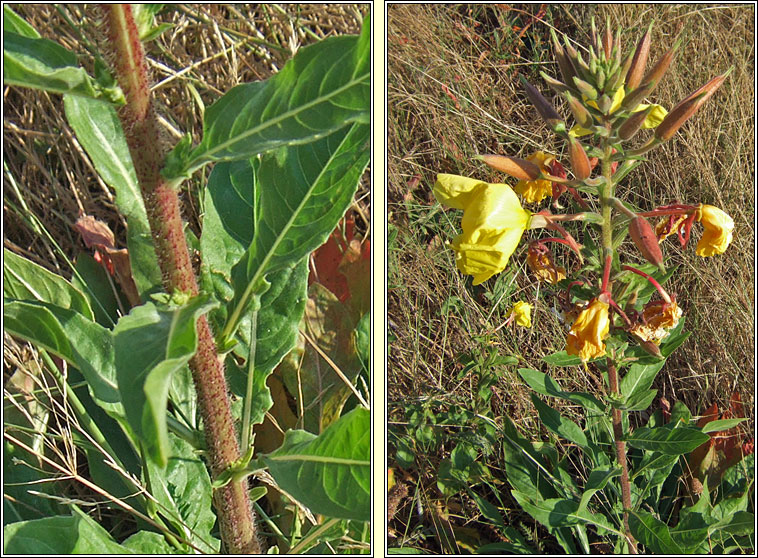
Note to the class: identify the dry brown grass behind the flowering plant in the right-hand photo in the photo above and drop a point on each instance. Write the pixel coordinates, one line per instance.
(453, 93)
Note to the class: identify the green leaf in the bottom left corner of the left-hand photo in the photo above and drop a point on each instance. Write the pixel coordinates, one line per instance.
(60, 535)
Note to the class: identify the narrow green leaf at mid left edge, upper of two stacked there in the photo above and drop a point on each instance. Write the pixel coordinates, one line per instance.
(25, 280)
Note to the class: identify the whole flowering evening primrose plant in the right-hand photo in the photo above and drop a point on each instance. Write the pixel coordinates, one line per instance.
(620, 320)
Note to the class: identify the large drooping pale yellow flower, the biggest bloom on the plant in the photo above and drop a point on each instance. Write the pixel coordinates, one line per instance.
(493, 222)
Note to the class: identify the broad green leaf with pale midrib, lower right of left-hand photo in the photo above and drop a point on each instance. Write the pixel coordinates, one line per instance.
(329, 473)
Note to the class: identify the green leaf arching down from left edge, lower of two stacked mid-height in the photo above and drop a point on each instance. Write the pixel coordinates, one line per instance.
(81, 342)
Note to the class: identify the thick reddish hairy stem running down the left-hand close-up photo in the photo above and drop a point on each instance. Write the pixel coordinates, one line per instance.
(144, 139)
